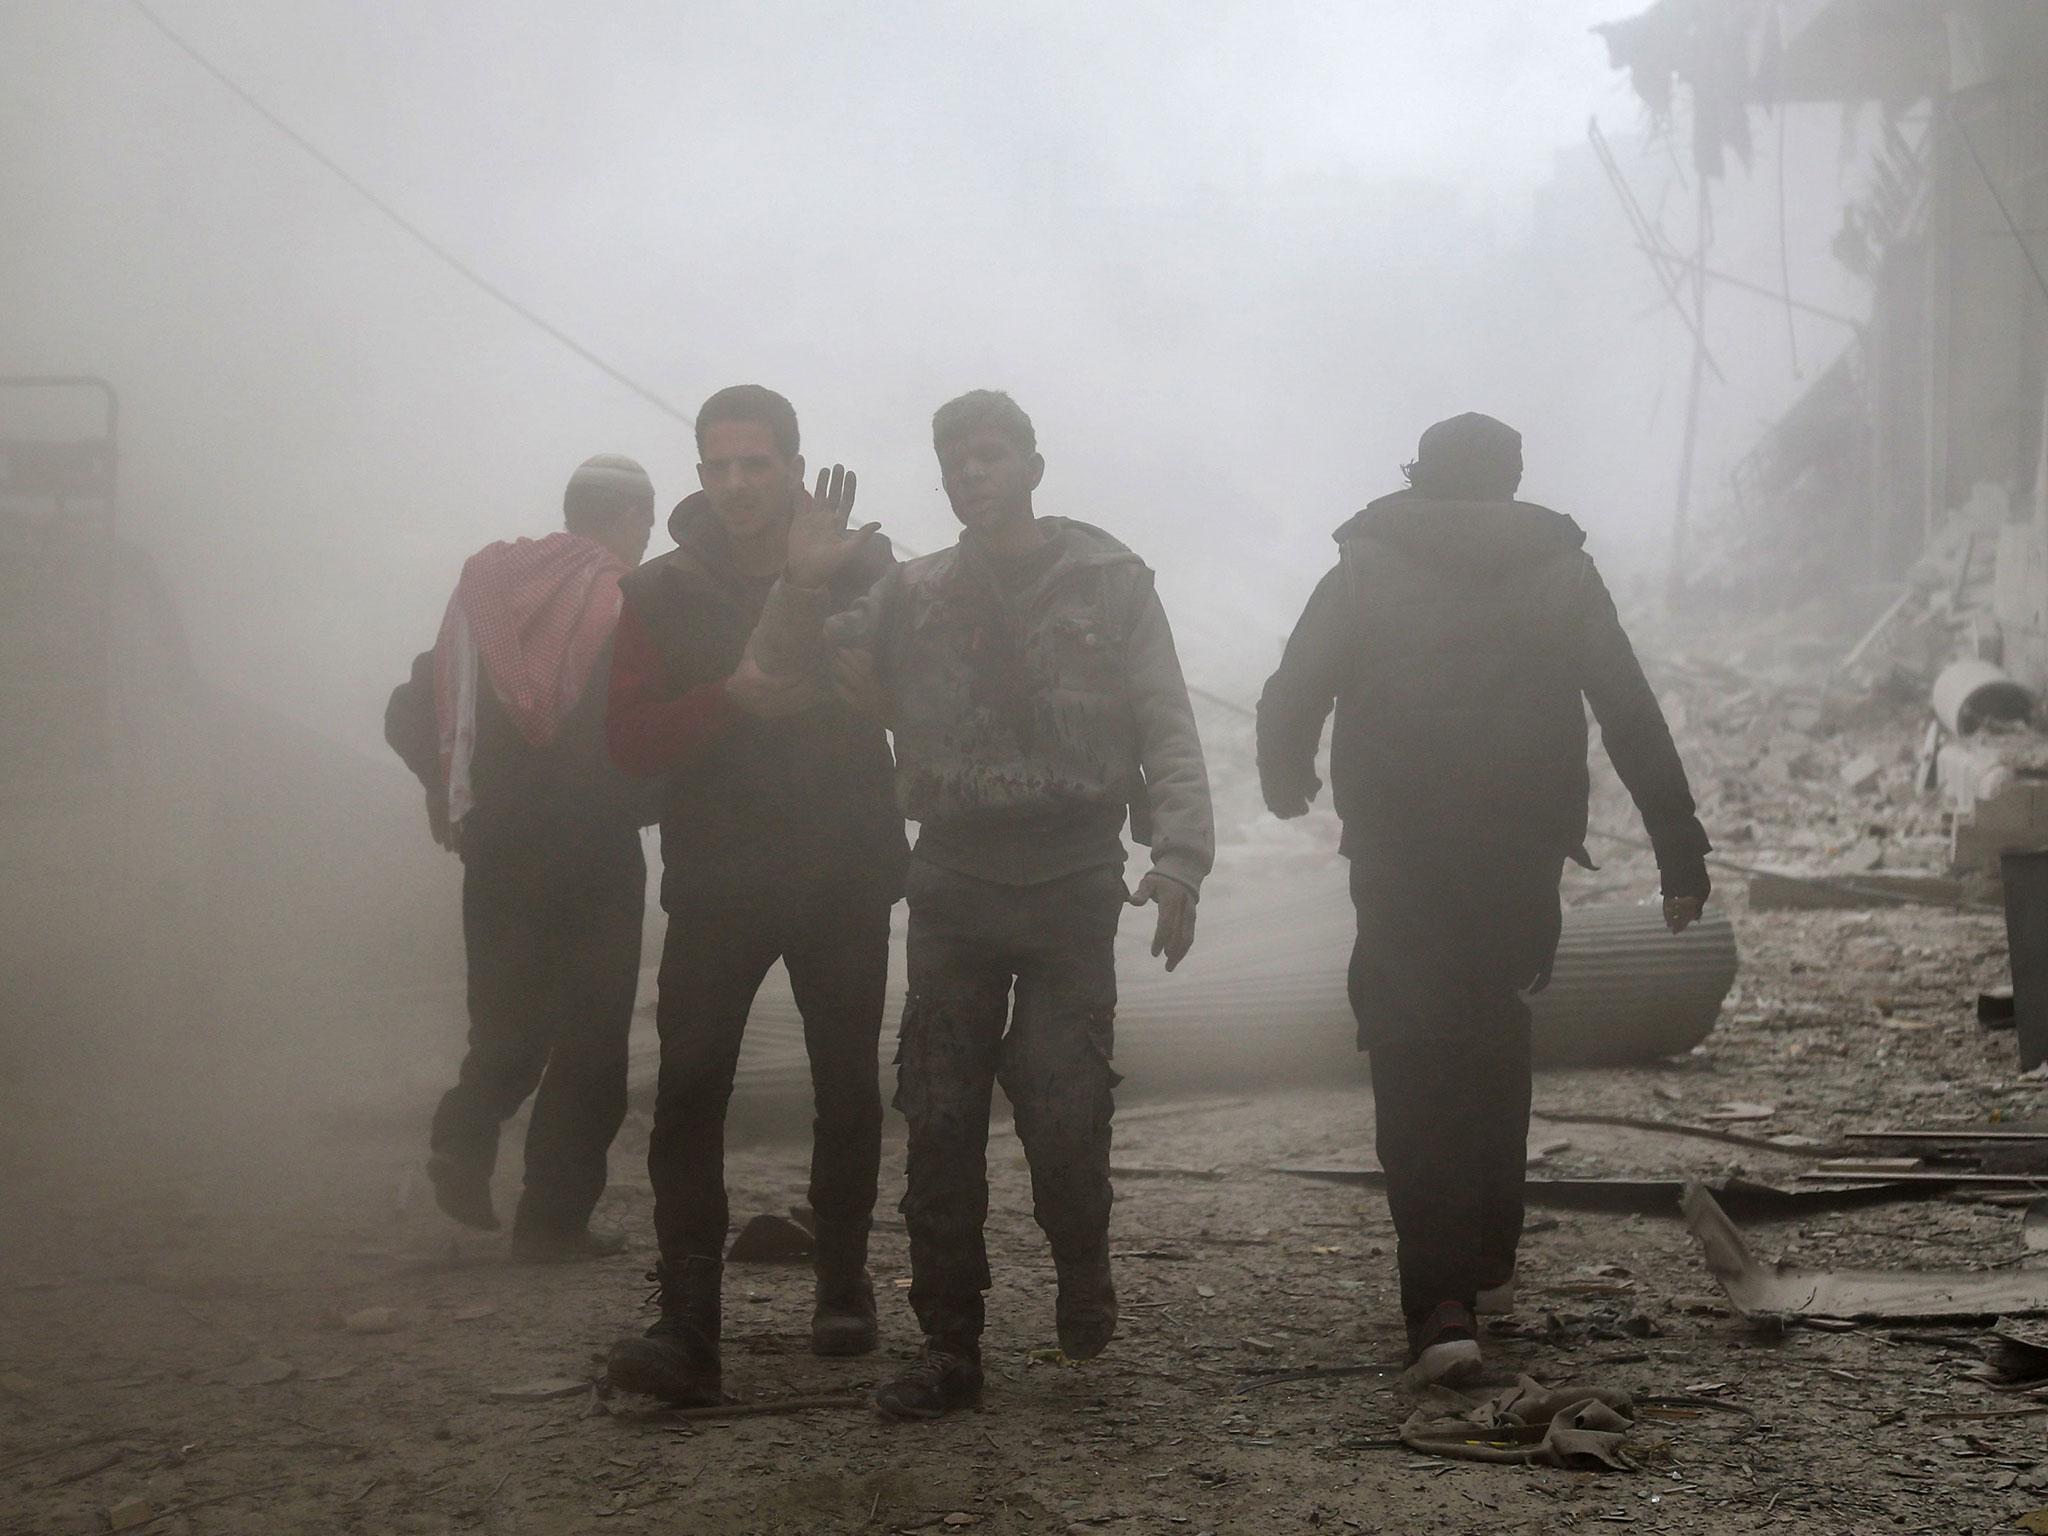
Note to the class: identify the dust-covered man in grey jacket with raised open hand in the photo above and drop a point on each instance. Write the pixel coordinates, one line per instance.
(1035, 695)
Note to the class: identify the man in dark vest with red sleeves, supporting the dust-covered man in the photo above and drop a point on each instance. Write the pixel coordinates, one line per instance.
(781, 843)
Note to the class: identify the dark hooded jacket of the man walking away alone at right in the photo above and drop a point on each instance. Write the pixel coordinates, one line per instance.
(1457, 642)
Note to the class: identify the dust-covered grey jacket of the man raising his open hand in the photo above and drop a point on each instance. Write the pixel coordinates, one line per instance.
(1035, 703)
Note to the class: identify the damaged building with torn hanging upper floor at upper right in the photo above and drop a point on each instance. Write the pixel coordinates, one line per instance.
(1910, 472)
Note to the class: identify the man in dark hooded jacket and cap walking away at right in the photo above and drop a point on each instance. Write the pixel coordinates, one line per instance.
(1457, 638)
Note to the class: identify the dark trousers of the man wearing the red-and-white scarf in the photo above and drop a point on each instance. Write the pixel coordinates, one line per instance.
(552, 923)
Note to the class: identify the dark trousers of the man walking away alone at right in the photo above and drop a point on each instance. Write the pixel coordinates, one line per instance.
(1447, 949)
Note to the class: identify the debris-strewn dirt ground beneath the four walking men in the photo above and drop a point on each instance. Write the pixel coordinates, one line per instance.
(171, 1318)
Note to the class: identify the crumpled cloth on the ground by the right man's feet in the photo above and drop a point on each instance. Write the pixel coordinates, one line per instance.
(1578, 1428)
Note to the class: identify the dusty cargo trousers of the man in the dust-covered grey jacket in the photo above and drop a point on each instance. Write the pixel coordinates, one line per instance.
(1039, 959)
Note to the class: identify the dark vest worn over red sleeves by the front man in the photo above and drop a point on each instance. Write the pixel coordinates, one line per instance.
(808, 798)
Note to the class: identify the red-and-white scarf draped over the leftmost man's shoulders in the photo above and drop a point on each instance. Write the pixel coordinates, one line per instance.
(531, 617)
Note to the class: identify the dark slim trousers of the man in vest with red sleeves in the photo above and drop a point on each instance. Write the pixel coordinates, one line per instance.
(833, 939)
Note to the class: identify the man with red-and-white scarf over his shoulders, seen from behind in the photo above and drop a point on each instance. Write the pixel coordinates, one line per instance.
(505, 726)
